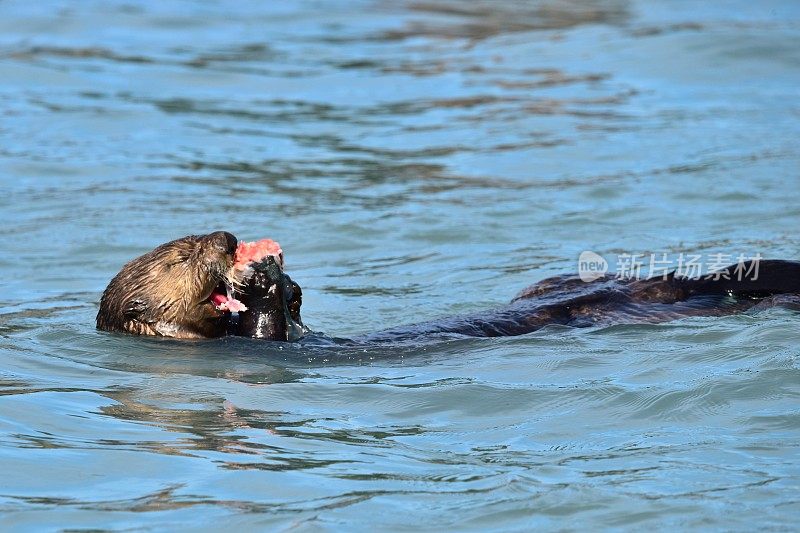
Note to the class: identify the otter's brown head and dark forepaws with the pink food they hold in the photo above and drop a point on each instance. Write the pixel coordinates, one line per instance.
(187, 288)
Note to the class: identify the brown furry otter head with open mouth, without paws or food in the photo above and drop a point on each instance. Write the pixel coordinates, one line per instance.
(169, 291)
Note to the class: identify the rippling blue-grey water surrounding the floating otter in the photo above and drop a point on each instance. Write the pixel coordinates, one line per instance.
(415, 160)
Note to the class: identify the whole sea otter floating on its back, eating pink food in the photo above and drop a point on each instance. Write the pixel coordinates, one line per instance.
(188, 287)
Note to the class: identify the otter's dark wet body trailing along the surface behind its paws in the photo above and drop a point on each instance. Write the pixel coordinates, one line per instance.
(567, 300)
